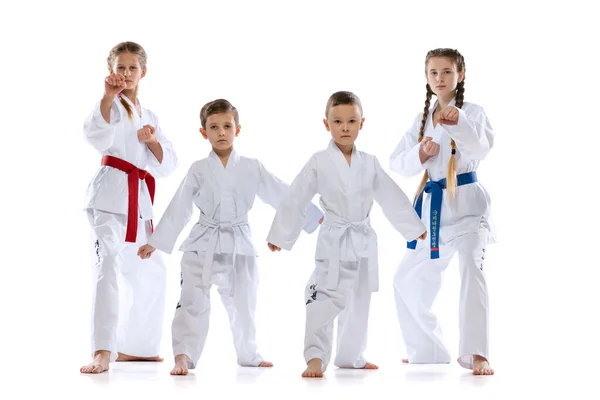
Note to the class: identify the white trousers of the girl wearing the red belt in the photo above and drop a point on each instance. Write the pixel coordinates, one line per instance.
(129, 293)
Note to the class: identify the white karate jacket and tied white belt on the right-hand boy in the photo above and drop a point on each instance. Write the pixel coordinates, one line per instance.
(347, 194)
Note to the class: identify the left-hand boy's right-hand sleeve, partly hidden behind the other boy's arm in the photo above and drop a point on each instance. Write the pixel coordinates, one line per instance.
(272, 190)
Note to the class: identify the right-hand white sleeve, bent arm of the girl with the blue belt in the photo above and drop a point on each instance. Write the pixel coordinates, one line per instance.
(472, 134)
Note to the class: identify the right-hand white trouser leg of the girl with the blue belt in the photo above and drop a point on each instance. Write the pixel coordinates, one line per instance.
(473, 306)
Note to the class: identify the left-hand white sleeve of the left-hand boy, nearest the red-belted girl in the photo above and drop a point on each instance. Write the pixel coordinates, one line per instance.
(178, 213)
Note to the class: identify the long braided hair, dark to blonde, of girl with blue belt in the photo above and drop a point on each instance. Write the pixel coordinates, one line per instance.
(459, 61)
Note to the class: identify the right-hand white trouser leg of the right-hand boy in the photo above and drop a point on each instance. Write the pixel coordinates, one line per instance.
(353, 322)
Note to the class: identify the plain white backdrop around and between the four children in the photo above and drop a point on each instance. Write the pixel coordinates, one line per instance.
(532, 65)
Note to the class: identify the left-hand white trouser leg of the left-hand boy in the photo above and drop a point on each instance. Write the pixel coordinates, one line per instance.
(189, 328)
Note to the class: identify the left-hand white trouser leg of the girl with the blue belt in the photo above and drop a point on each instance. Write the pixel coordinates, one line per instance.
(417, 282)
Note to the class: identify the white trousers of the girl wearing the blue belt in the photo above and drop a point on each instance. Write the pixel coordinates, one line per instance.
(416, 285)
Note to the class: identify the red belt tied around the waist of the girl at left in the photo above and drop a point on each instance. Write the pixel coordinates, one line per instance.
(134, 174)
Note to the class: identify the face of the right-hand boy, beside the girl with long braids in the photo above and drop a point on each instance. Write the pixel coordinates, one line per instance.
(344, 122)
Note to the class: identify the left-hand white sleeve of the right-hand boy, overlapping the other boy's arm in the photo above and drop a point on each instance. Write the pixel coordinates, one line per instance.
(291, 214)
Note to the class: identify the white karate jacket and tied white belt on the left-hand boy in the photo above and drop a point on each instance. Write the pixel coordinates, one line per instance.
(224, 195)
